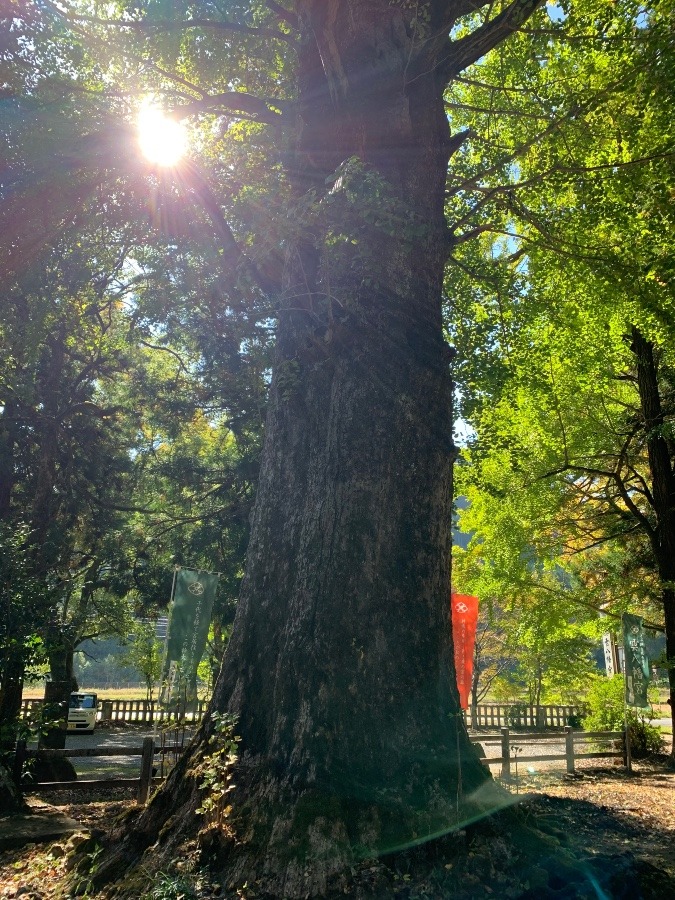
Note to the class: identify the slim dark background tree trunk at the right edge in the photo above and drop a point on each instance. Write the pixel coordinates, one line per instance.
(663, 493)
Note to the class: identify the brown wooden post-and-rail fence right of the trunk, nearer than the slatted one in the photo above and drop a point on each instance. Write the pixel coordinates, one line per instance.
(578, 745)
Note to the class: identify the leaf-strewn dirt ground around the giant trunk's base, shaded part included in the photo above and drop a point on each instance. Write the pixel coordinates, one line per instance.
(603, 834)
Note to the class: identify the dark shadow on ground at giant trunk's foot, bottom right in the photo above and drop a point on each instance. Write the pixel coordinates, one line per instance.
(551, 849)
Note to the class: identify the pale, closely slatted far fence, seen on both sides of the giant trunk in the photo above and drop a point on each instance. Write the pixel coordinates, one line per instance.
(487, 715)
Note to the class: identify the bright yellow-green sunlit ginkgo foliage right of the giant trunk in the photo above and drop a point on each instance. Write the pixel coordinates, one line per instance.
(566, 340)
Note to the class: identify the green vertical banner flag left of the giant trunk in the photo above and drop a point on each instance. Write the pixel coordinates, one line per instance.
(188, 629)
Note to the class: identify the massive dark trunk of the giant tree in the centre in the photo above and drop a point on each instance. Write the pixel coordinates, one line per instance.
(340, 669)
